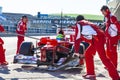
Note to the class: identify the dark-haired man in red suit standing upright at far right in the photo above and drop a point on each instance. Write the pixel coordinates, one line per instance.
(112, 30)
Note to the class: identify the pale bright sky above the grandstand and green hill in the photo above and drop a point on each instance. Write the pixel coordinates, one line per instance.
(52, 6)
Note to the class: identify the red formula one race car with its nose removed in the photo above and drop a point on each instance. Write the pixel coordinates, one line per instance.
(50, 52)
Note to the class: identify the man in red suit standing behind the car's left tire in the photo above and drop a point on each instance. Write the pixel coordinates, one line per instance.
(21, 29)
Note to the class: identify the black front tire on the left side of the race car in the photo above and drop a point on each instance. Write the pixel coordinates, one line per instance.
(26, 49)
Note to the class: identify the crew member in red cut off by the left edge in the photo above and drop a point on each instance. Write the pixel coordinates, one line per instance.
(2, 50)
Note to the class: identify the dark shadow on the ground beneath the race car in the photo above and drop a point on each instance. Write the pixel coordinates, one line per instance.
(63, 74)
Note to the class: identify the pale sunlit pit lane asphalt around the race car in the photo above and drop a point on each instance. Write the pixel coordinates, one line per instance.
(15, 72)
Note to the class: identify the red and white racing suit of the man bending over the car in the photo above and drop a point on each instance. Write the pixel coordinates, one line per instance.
(88, 32)
